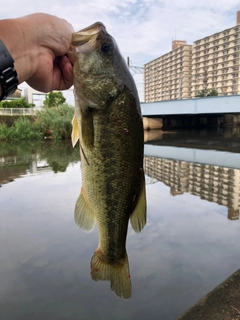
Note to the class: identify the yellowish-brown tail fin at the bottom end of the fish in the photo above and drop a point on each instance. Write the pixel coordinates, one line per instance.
(117, 273)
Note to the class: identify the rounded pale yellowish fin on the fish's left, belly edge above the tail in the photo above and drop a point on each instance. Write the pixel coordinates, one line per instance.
(83, 214)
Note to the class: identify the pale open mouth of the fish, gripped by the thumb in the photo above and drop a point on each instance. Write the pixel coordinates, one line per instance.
(87, 34)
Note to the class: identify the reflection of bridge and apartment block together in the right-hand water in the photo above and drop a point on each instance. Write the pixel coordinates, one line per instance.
(213, 175)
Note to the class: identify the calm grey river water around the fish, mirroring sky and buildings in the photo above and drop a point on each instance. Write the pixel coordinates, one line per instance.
(189, 245)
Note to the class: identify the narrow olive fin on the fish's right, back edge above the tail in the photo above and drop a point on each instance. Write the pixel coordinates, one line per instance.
(138, 217)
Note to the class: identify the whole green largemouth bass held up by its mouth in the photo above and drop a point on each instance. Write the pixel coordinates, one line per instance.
(108, 124)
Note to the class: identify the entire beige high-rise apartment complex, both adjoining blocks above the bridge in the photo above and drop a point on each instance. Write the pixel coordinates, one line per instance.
(210, 63)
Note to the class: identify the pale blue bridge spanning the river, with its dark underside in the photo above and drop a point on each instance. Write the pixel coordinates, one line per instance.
(195, 112)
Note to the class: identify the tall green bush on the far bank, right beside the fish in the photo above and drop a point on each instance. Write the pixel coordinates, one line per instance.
(56, 122)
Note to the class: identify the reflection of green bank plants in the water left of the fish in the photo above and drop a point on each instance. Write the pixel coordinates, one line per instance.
(18, 159)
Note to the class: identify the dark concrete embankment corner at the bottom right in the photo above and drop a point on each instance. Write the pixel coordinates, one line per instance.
(222, 303)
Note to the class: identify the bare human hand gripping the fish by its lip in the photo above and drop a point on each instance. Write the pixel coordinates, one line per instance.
(39, 43)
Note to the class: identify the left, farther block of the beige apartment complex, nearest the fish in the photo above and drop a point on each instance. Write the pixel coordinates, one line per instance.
(169, 76)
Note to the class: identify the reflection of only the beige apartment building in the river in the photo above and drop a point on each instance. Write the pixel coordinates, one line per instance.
(212, 183)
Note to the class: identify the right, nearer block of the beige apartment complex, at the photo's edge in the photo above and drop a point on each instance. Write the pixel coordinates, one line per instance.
(215, 62)
